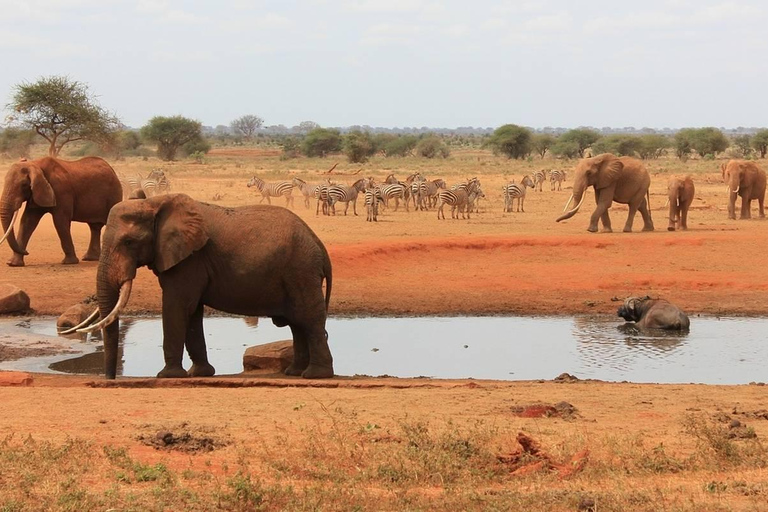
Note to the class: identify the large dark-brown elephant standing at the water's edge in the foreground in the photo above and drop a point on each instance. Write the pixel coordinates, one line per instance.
(253, 260)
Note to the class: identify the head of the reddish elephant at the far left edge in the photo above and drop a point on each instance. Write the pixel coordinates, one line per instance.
(25, 181)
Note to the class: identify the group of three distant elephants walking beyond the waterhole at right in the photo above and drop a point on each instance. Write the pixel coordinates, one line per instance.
(625, 180)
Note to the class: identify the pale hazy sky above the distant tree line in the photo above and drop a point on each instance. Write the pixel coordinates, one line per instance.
(402, 63)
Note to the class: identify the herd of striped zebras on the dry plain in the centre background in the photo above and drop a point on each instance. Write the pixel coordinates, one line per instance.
(416, 191)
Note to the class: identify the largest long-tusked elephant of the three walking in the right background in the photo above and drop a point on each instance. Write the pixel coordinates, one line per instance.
(621, 179)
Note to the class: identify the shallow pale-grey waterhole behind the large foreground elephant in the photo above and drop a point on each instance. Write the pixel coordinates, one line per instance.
(716, 351)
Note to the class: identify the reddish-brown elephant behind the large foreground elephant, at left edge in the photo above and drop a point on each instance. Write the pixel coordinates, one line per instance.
(82, 191)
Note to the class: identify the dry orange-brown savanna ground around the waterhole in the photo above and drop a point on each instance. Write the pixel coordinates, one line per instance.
(264, 442)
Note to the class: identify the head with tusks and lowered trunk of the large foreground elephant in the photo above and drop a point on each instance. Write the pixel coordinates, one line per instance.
(160, 233)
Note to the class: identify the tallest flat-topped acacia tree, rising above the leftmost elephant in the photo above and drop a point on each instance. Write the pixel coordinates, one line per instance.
(61, 111)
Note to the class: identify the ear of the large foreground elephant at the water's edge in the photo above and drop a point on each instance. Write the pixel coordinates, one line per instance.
(179, 231)
